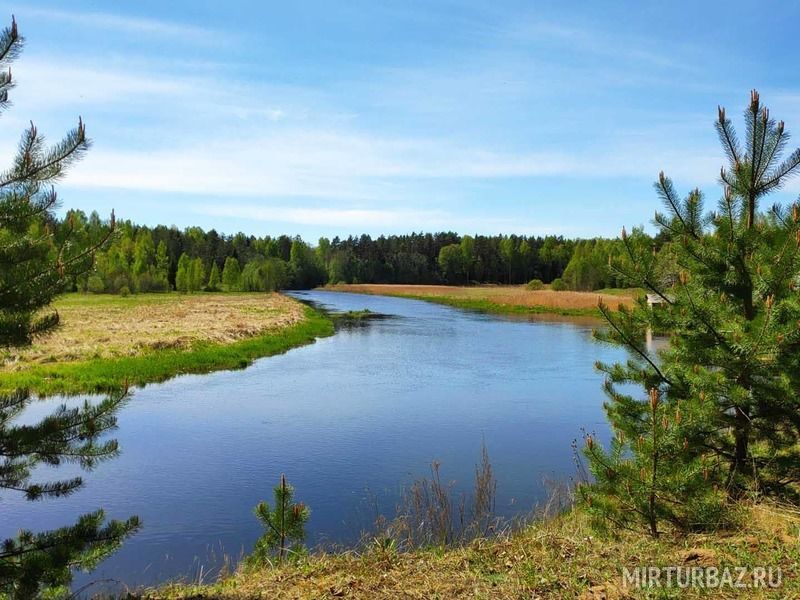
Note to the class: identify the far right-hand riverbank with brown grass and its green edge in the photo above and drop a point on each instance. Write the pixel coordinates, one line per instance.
(500, 299)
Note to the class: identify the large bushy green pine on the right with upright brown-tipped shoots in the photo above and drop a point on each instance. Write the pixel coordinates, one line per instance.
(728, 382)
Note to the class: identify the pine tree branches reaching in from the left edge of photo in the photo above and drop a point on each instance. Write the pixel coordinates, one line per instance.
(34, 268)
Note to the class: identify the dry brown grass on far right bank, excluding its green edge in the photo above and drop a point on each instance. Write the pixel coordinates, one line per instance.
(507, 295)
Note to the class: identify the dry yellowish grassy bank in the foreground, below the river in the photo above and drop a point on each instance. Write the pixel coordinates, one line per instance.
(562, 557)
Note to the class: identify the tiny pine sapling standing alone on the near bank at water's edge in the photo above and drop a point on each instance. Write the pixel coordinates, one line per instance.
(285, 526)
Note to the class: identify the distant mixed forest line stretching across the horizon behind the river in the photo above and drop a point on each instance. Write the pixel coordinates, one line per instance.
(142, 259)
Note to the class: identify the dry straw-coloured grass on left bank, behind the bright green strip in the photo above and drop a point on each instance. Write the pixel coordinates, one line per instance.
(113, 326)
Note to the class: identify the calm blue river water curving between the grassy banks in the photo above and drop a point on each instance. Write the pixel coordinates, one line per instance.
(349, 419)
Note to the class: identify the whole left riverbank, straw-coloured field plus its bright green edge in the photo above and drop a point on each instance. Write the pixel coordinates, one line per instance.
(105, 341)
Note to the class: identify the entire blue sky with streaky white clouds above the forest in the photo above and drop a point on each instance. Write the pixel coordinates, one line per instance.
(336, 118)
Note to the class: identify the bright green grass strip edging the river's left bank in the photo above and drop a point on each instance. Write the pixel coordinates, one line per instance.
(106, 374)
